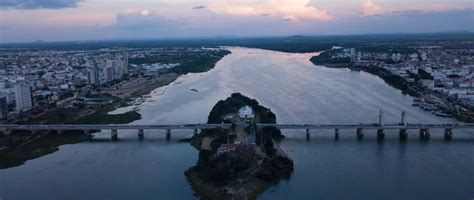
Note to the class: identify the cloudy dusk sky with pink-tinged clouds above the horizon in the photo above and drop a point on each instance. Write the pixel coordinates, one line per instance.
(63, 20)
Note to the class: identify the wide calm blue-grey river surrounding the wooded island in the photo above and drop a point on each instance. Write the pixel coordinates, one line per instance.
(297, 92)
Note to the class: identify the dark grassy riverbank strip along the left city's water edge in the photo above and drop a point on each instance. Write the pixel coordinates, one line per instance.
(18, 147)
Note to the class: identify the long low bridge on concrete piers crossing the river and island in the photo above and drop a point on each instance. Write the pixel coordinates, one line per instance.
(424, 129)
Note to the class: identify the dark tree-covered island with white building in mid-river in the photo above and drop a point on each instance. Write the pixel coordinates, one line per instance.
(242, 162)
